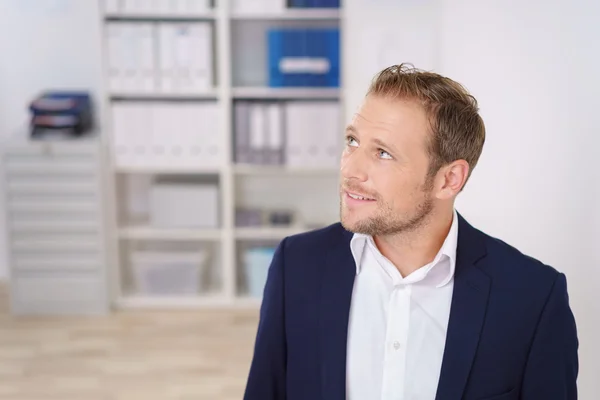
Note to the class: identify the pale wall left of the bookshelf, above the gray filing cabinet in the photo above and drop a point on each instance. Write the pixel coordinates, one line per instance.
(44, 44)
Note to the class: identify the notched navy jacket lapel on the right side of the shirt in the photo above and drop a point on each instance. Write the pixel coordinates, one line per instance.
(467, 313)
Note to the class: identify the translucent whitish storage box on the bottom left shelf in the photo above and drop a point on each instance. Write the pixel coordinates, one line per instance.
(168, 273)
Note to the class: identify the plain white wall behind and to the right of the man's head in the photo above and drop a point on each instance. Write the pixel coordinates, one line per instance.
(532, 66)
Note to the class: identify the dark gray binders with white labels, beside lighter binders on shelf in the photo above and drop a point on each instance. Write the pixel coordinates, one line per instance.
(259, 136)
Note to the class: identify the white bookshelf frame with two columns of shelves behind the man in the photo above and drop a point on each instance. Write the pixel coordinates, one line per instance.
(247, 182)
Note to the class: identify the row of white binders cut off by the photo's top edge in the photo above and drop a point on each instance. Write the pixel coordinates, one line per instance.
(156, 7)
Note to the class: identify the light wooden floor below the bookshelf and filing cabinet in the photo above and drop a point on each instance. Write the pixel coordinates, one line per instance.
(126, 356)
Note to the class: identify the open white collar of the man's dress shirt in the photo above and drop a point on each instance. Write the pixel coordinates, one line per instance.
(359, 241)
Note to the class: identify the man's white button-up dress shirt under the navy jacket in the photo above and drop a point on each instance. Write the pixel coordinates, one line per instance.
(397, 327)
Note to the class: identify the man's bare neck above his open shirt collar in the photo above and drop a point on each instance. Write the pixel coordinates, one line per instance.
(409, 251)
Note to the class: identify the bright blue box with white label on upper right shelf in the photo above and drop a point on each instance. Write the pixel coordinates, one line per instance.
(304, 57)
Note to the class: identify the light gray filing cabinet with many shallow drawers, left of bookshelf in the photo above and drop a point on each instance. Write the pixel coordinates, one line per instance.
(55, 226)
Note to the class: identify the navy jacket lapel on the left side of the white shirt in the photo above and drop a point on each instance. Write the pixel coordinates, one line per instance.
(335, 294)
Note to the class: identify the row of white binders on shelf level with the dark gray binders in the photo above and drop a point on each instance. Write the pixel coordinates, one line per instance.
(167, 135)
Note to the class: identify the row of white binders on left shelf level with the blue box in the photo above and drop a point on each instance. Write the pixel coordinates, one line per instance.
(173, 57)
